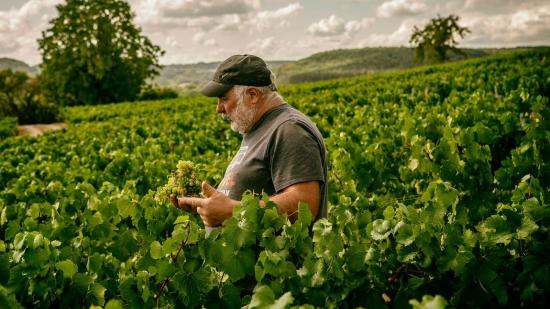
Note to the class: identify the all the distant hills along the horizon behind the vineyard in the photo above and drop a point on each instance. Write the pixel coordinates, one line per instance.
(326, 65)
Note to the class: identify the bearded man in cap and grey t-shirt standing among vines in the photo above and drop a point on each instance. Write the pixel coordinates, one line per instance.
(282, 152)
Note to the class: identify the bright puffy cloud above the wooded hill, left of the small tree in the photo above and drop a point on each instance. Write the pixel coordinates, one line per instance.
(334, 26)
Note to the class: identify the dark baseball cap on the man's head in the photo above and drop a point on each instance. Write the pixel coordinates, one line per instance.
(246, 70)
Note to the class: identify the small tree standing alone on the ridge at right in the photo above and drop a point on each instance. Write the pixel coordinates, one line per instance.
(437, 38)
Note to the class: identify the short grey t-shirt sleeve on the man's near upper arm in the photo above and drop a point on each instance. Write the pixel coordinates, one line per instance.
(294, 156)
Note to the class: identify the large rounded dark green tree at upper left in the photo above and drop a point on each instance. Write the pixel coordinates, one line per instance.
(93, 54)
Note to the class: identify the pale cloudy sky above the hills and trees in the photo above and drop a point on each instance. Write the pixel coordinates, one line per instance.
(191, 31)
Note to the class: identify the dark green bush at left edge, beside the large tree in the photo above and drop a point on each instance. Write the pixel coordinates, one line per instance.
(22, 97)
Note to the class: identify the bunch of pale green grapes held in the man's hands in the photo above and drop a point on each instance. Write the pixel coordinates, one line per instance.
(184, 181)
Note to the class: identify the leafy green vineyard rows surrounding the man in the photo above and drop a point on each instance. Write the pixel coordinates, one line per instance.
(439, 195)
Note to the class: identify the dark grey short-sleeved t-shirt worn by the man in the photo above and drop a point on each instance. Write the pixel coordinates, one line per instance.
(283, 148)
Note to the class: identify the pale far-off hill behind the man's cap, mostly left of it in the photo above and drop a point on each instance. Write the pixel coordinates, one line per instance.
(191, 77)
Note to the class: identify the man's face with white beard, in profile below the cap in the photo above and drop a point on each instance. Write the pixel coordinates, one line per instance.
(237, 110)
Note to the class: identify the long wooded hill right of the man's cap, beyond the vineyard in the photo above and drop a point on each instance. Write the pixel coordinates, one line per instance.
(350, 62)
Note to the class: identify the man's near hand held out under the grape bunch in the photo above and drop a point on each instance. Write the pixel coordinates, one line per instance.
(214, 208)
